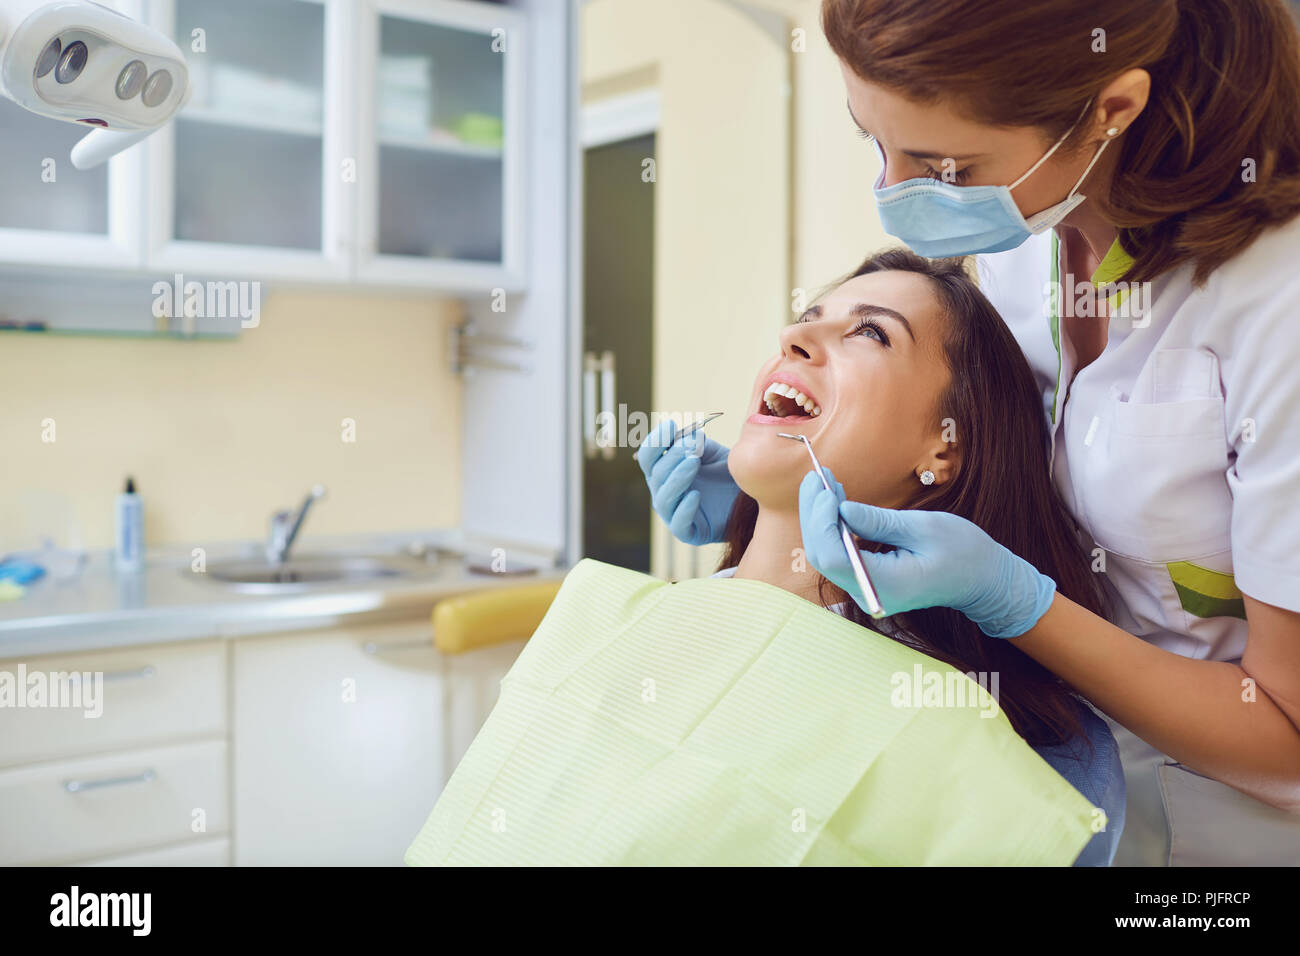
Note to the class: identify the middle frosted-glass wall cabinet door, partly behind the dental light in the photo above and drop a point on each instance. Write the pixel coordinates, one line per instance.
(242, 165)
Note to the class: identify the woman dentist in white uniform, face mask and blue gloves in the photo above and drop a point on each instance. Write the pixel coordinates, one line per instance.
(1129, 175)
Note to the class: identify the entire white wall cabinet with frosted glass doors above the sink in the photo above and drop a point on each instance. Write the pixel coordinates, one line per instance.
(327, 141)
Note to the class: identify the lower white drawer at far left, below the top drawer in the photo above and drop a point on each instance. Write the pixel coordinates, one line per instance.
(81, 810)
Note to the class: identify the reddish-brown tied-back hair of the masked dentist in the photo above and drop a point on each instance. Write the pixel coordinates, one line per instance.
(1225, 90)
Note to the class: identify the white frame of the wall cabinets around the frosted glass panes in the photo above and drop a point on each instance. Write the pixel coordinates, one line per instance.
(144, 183)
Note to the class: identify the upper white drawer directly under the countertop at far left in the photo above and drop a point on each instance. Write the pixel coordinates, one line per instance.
(150, 695)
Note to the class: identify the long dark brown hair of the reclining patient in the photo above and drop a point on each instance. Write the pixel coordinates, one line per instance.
(1003, 486)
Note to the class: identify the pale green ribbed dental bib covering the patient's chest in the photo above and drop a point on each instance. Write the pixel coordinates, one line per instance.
(730, 723)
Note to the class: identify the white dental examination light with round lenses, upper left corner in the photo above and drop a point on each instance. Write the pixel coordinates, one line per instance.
(80, 62)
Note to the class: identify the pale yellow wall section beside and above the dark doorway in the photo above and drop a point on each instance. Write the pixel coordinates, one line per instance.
(722, 284)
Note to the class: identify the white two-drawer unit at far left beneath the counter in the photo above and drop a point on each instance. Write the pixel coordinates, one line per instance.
(132, 760)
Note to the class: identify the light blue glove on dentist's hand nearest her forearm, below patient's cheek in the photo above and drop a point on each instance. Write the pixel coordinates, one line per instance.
(942, 561)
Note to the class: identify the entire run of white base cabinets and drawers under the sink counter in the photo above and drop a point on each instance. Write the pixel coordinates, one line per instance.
(337, 746)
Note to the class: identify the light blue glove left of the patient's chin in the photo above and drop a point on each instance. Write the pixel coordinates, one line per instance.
(691, 488)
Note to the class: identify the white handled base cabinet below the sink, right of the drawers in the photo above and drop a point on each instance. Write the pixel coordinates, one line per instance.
(345, 738)
